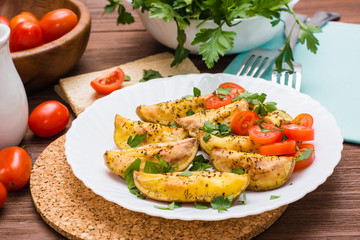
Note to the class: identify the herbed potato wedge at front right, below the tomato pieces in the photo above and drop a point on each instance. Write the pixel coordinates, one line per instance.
(266, 172)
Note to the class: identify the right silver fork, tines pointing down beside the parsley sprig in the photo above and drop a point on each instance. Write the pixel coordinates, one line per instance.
(286, 77)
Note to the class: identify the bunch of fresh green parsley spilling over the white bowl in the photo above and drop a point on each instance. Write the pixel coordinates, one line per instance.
(213, 42)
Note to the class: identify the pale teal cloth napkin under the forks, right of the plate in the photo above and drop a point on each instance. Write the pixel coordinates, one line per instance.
(332, 76)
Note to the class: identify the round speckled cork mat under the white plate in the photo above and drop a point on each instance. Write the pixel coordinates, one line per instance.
(74, 211)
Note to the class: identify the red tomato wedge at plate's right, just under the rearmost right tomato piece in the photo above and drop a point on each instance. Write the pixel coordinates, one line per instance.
(298, 132)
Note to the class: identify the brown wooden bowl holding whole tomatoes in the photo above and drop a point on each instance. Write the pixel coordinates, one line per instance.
(41, 66)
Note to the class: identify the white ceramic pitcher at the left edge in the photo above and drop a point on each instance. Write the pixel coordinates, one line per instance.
(14, 108)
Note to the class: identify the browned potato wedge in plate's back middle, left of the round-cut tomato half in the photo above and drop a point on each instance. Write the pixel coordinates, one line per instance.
(223, 114)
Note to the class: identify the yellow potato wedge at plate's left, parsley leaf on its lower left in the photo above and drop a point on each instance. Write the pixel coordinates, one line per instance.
(155, 132)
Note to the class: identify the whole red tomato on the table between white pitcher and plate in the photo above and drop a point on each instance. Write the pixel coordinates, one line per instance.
(48, 119)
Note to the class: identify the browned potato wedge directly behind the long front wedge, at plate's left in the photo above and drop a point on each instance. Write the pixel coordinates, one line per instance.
(180, 153)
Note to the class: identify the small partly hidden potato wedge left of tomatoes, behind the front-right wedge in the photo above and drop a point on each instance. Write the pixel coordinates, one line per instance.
(234, 142)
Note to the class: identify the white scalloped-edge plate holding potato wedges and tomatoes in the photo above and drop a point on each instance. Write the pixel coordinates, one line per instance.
(92, 131)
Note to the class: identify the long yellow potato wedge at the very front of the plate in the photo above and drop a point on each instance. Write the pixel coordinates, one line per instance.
(201, 186)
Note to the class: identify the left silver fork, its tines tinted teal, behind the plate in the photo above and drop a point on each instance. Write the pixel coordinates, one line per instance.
(258, 60)
